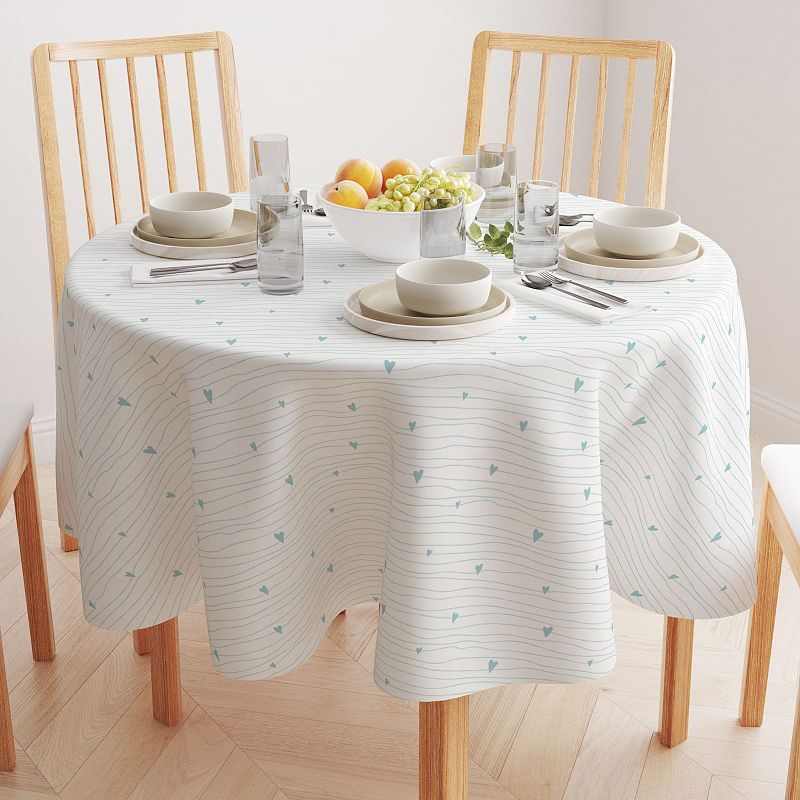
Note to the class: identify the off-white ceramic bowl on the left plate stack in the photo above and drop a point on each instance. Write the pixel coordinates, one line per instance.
(191, 215)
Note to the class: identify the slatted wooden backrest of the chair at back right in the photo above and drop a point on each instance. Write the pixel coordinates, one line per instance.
(579, 50)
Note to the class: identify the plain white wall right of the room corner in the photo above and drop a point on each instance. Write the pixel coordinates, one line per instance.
(734, 166)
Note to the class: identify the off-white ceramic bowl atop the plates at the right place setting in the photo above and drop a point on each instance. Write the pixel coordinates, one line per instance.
(636, 231)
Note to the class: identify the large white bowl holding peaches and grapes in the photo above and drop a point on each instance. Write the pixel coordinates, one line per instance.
(391, 236)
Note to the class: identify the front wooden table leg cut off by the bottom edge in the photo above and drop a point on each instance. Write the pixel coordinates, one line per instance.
(444, 749)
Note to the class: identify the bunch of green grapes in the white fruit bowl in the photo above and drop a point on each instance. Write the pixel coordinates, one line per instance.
(433, 188)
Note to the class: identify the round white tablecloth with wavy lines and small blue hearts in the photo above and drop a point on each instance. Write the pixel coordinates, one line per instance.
(488, 493)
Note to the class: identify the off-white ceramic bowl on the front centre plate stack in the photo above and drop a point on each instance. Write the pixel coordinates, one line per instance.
(443, 287)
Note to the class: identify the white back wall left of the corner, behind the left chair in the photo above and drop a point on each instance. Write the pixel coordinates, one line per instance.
(341, 78)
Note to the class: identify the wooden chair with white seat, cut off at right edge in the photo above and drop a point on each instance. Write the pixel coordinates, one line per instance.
(779, 536)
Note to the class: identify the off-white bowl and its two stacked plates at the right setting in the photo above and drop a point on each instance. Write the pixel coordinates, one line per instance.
(628, 243)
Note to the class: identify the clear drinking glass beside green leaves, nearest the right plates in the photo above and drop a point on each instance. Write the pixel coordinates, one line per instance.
(536, 226)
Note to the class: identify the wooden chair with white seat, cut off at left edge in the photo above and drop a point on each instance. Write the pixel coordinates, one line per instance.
(18, 477)
